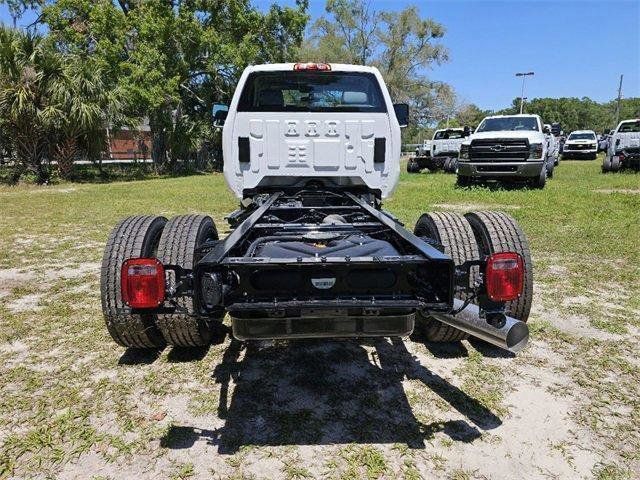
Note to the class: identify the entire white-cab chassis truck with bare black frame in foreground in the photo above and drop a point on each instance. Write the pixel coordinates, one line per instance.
(310, 151)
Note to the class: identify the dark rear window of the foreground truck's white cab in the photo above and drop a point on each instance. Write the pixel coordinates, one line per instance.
(311, 92)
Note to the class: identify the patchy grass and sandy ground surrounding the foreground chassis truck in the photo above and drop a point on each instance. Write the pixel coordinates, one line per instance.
(75, 405)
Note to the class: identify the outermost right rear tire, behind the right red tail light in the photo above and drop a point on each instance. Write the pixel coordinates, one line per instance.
(498, 232)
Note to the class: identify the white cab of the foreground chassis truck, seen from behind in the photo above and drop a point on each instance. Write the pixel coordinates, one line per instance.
(291, 124)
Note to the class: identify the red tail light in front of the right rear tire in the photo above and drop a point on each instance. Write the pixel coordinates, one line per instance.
(504, 276)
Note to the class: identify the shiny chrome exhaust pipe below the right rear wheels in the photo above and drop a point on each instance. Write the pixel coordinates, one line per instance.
(503, 331)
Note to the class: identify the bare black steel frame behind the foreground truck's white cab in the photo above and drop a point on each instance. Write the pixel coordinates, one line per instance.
(423, 276)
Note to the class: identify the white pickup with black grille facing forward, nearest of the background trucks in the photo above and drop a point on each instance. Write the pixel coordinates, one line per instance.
(507, 148)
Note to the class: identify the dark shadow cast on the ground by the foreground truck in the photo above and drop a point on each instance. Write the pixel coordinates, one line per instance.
(327, 392)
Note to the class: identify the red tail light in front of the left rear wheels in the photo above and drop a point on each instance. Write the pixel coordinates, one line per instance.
(142, 282)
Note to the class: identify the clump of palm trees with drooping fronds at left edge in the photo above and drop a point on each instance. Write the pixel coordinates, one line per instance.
(52, 106)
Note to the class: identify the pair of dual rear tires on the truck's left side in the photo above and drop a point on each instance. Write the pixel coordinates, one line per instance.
(174, 242)
